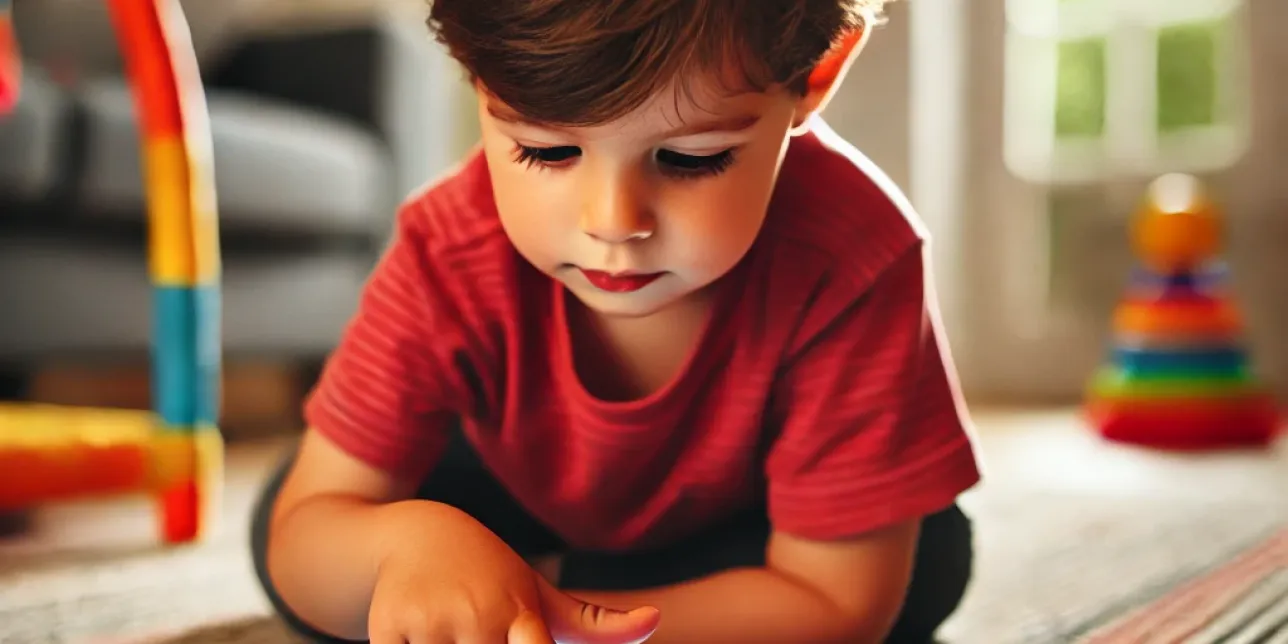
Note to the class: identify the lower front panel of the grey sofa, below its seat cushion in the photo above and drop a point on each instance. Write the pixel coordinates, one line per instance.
(69, 297)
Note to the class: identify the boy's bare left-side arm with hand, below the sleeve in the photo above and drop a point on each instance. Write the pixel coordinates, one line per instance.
(355, 558)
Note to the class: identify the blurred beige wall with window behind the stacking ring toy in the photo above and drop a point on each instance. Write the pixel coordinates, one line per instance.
(1027, 132)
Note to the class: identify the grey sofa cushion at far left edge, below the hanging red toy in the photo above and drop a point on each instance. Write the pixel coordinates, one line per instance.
(33, 140)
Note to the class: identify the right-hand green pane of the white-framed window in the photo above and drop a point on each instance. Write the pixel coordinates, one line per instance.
(1187, 77)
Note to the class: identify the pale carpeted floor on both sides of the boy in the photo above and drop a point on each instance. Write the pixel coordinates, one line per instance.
(1070, 530)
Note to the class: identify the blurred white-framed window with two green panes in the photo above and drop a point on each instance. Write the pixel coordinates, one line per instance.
(1099, 90)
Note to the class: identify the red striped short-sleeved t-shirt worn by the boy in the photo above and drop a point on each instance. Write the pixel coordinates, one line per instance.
(822, 379)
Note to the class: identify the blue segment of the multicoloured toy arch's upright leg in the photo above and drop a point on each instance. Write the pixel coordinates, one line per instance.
(186, 355)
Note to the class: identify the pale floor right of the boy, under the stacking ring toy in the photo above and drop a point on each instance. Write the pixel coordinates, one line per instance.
(1072, 531)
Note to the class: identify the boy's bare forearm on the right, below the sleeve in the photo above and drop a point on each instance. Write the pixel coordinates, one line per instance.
(811, 592)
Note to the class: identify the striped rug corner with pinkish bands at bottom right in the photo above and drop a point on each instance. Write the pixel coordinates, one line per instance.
(1241, 602)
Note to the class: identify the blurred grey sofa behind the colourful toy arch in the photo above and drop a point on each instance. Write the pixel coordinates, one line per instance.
(319, 133)
